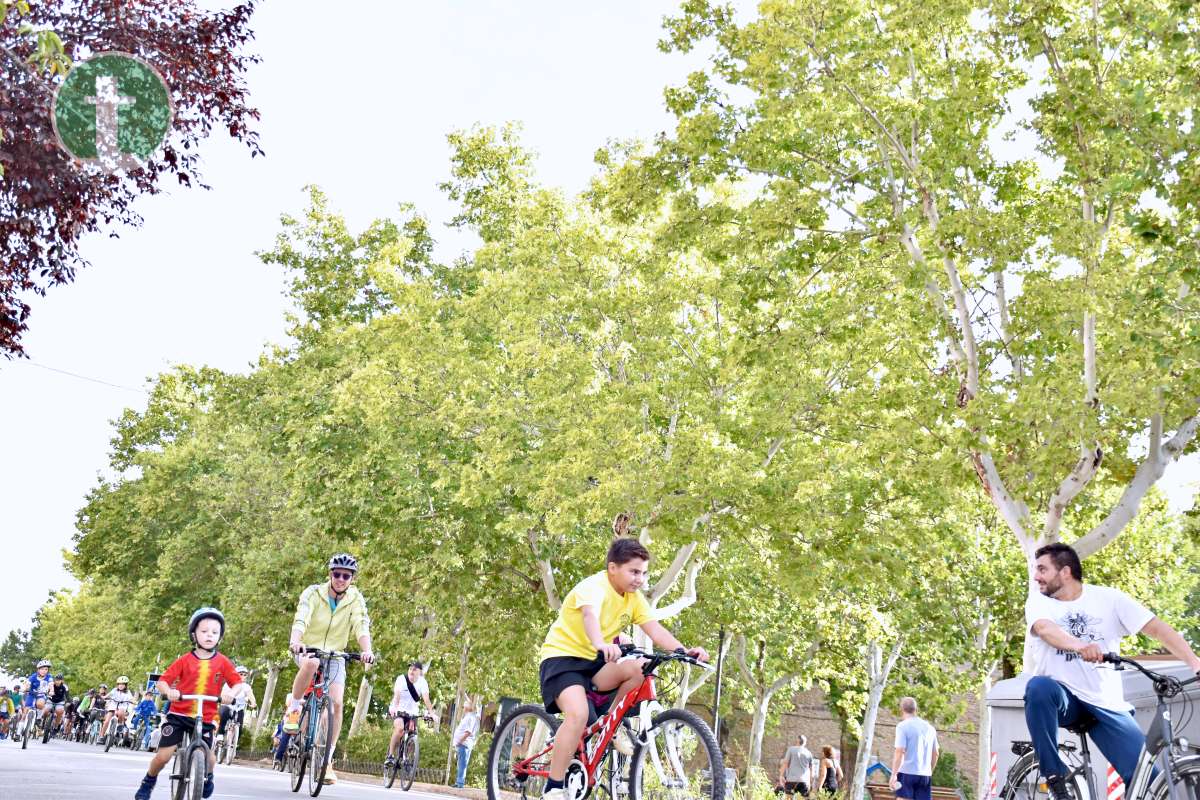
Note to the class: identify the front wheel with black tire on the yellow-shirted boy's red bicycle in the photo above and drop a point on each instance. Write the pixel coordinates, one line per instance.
(705, 741)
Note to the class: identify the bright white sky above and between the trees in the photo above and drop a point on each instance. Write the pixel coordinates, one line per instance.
(358, 103)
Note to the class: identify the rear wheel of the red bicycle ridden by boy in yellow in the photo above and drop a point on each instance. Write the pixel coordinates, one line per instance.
(520, 747)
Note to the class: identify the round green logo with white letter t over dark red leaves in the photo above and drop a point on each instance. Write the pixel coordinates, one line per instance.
(113, 111)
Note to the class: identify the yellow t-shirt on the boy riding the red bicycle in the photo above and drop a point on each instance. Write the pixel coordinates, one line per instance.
(615, 611)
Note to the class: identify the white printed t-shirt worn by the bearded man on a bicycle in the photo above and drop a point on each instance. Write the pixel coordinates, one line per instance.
(1100, 615)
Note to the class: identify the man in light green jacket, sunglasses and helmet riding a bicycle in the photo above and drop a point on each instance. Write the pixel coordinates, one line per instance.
(327, 616)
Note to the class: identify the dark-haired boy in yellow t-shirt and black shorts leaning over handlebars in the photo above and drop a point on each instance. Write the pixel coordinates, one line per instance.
(579, 653)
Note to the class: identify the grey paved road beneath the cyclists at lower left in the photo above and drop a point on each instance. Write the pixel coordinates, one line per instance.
(63, 771)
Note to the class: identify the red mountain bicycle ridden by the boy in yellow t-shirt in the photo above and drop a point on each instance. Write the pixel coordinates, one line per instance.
(675, 754)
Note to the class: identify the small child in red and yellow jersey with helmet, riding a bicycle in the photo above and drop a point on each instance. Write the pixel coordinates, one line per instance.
(201, 671)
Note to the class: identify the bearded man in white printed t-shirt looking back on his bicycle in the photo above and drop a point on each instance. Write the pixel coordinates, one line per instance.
(1075, 625)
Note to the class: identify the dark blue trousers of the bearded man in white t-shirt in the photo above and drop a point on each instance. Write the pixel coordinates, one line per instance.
(1051, 706)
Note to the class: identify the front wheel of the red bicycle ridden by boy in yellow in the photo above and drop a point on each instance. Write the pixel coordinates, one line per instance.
(680, 761)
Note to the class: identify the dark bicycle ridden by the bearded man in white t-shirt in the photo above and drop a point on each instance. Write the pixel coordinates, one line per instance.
(1168, 769)
